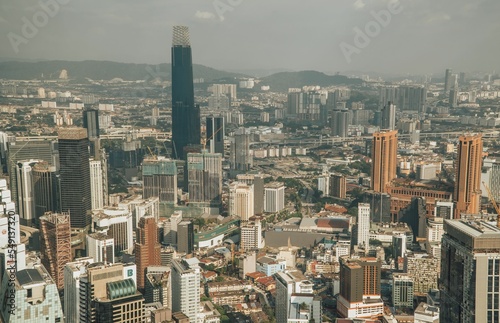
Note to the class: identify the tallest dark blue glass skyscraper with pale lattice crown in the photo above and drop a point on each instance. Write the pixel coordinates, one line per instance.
(185, 114)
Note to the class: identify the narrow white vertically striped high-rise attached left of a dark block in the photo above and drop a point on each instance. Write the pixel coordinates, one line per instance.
(25, 194)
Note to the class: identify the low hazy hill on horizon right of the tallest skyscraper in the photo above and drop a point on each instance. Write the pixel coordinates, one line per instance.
(284, 80)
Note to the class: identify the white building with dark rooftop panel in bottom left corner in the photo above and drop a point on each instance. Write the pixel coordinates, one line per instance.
(34, 295)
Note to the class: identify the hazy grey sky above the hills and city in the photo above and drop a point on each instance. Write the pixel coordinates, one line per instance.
(426, 36)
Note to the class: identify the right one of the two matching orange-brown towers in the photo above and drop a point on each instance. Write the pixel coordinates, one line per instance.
(467, 195)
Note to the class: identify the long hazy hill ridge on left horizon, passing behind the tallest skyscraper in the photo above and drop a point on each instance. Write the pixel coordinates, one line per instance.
(101, 70)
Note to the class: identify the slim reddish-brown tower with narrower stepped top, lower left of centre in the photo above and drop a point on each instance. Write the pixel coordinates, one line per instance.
(147, 248)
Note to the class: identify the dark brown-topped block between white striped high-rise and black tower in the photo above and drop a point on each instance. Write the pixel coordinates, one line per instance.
(46, 189)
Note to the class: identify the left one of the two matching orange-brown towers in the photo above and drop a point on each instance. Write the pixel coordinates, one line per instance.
(384, 153)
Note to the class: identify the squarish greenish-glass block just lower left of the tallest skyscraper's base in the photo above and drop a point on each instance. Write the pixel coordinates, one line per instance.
(160, 179)
